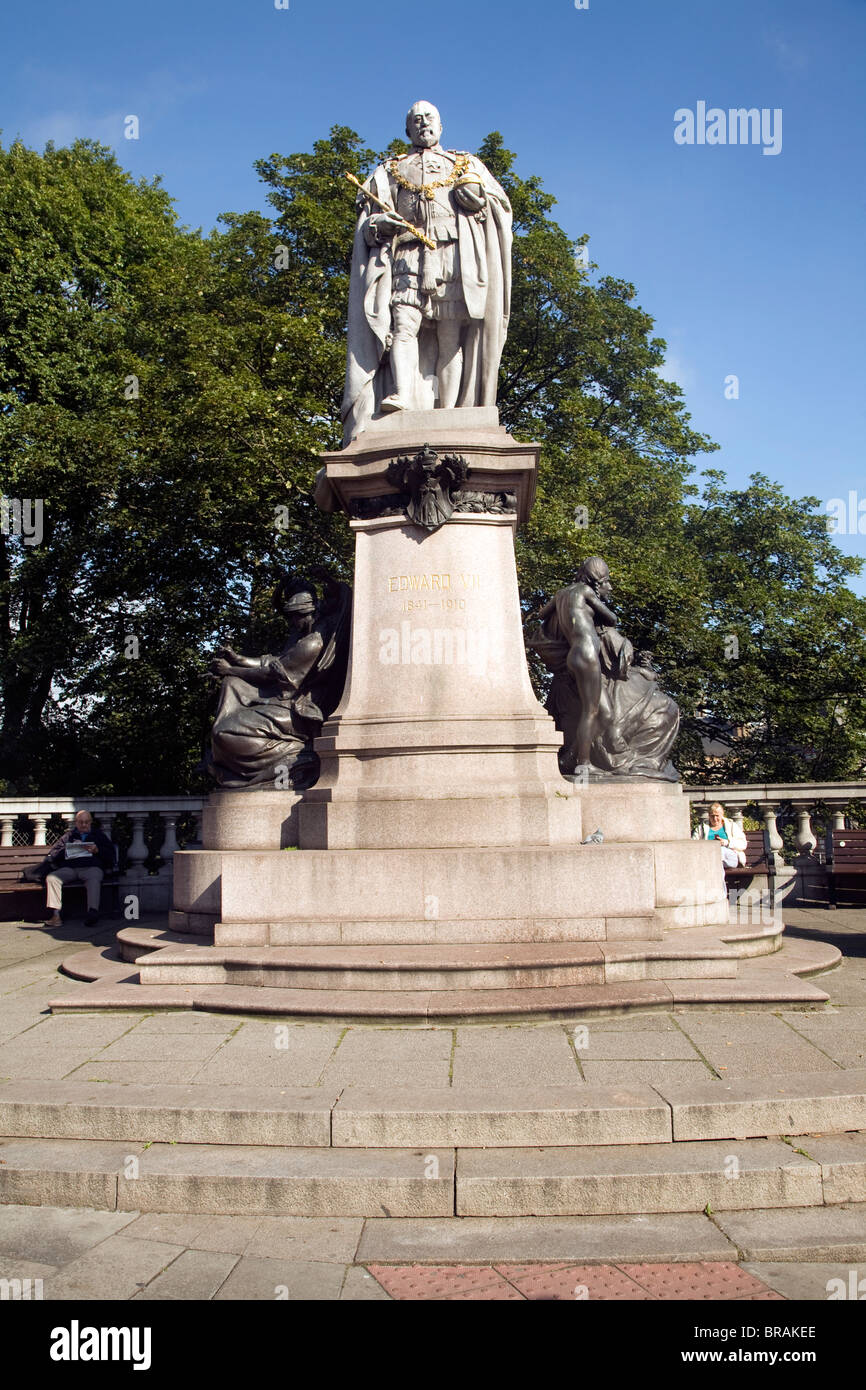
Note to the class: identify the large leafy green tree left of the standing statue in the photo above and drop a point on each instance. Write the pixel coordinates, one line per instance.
(168, 412)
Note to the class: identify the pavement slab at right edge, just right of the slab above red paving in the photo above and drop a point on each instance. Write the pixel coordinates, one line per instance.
(803, 1234)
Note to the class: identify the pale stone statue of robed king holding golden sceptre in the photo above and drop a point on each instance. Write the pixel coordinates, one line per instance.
(432, 283)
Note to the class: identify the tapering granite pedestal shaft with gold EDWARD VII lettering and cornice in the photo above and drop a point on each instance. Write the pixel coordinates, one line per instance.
(440, 740)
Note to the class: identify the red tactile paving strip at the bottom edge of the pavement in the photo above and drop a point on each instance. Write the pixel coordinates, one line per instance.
(717, 1281)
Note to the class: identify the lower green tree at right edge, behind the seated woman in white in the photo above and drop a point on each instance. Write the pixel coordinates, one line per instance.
(782, 671)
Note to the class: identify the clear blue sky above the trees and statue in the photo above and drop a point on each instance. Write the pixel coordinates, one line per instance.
(751, 263)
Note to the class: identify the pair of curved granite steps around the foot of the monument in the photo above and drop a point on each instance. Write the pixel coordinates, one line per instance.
(446, 985)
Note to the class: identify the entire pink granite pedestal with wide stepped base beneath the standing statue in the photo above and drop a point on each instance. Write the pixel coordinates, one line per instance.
(441, 822)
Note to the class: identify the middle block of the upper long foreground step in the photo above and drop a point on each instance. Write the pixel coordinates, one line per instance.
(500, 1115)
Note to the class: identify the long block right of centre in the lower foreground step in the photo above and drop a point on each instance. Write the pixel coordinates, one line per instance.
(648, 1178)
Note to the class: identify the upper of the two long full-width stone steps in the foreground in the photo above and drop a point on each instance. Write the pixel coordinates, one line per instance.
(358, 1117)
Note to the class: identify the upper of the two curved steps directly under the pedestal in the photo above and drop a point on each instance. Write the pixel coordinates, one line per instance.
(437, 968)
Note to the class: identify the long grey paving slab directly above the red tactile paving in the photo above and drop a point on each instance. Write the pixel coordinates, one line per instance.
(566, 1239)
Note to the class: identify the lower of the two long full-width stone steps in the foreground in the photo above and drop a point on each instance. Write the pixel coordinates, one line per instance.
(593, 1181)
